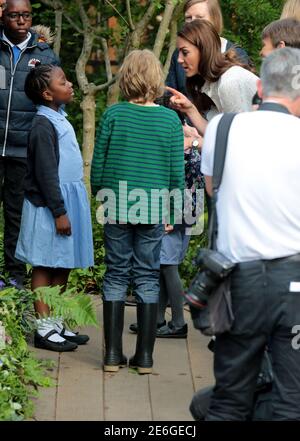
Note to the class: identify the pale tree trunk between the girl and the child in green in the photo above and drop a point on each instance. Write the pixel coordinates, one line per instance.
(88, 106)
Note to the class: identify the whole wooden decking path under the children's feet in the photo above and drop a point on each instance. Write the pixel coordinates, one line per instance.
(84, 392)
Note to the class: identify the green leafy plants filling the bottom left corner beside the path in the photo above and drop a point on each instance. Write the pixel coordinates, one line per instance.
(20, 372)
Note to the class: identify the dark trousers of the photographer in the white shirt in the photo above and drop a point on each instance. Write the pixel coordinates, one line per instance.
(266, 311)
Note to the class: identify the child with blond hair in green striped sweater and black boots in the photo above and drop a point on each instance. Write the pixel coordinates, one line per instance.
(138, 155)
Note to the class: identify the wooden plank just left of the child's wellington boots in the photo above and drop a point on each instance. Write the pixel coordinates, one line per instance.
(80, 380)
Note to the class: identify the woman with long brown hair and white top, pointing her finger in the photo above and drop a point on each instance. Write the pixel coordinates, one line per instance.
(216, 82)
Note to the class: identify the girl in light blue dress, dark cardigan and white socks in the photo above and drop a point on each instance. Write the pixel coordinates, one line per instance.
(56, 232)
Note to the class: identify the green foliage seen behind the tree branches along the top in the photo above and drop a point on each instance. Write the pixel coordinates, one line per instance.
(243, 20)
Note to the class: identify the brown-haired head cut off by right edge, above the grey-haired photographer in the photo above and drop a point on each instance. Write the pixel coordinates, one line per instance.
(279, 34)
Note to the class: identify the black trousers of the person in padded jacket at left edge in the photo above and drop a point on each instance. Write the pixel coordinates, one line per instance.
(12, 174)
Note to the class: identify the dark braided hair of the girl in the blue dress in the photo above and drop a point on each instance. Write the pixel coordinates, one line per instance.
(37, 81)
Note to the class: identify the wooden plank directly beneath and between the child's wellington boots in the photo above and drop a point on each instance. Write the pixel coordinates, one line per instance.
(126, 394)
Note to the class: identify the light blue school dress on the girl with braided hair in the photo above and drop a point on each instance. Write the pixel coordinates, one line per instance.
(38, 243)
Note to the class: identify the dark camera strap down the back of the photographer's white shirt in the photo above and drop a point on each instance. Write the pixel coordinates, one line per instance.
(219, 161)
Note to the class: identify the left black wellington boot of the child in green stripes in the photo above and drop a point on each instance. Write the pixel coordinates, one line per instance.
(113, 319)
